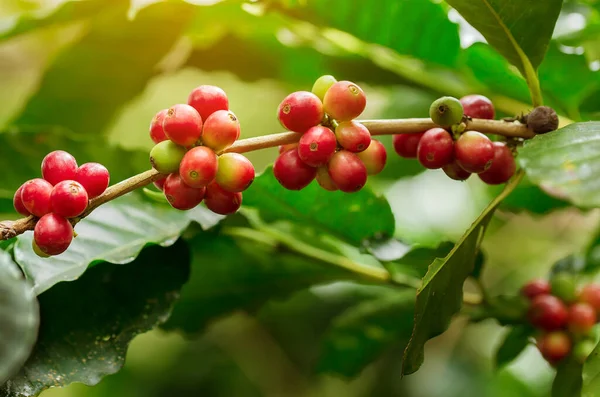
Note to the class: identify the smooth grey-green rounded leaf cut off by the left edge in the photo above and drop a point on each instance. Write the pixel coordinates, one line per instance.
(19, 316)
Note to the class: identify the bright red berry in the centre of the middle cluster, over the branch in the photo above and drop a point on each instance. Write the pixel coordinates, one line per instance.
(317, 145)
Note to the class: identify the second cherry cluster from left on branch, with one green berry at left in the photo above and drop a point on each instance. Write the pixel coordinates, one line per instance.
(189, 140)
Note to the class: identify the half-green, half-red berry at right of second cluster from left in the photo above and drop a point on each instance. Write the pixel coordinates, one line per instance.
(235, 172)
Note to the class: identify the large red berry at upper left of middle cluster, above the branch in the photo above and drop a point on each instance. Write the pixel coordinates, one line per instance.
(299, 111)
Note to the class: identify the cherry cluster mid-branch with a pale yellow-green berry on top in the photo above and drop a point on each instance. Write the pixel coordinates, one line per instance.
(333, 148)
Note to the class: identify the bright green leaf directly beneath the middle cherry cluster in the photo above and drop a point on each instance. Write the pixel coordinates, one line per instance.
(354, 218)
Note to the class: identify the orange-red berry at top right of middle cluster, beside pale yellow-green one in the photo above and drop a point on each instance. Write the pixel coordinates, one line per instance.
(344, 101)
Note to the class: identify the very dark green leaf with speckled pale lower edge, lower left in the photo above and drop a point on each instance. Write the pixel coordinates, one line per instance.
(89, 323)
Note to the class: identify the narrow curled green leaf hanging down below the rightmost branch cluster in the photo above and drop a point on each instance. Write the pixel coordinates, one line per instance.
(440, 296)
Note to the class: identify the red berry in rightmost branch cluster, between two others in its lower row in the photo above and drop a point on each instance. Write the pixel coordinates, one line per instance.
(474, 152)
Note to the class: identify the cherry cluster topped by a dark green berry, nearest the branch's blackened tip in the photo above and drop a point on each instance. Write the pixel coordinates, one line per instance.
(459, 153)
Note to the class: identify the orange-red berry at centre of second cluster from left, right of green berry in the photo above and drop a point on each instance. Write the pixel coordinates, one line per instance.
(199, 166)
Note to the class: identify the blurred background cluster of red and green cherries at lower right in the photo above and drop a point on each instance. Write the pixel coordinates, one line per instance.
(565, 315)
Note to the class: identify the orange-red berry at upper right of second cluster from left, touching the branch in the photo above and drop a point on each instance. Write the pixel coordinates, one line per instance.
(221, 129)
